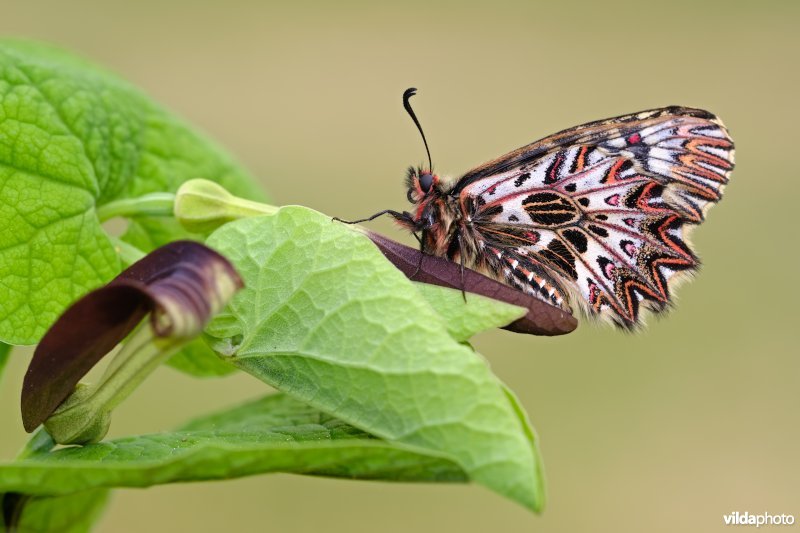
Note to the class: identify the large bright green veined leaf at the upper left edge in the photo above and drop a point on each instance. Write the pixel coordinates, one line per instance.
(72, 138)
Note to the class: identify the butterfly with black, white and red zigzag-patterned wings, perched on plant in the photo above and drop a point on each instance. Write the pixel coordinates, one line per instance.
(597, 216)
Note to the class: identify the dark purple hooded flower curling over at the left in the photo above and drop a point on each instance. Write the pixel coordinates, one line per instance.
(180, 285)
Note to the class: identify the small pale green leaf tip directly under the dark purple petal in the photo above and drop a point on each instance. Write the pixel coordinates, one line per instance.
(464, 319)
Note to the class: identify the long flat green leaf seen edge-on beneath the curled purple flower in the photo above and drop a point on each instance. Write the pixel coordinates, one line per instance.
(274, 434)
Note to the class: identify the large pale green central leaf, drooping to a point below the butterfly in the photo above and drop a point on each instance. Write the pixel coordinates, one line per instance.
(324, 317)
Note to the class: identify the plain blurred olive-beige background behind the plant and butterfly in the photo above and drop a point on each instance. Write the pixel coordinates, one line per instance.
(664, 430)
